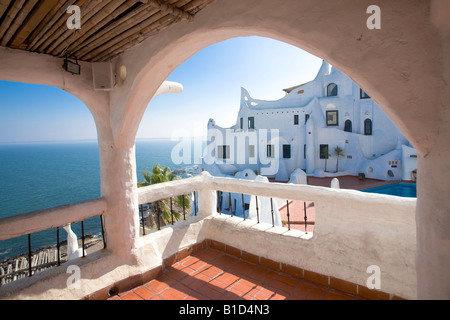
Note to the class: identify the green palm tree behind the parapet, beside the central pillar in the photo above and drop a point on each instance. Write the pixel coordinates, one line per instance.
(164, 209)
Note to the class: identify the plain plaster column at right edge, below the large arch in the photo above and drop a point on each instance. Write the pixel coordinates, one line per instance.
(433, 222)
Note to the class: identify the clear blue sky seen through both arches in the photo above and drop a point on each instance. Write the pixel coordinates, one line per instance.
(212, 81)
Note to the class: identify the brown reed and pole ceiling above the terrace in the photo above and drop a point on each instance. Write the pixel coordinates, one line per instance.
(108, 27)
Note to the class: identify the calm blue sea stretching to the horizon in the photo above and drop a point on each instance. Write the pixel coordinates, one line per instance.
(37, 176)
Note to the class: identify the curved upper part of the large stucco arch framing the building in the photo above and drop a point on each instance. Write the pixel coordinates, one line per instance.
(150, 64)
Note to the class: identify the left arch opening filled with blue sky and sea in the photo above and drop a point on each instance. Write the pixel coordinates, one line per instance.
(50, 158)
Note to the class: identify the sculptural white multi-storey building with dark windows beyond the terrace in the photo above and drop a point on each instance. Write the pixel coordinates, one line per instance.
(302, 130)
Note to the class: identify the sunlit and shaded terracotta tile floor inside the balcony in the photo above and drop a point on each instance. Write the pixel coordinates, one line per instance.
(214, 275)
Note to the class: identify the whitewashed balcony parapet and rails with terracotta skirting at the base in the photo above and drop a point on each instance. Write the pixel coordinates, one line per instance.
(353, 232)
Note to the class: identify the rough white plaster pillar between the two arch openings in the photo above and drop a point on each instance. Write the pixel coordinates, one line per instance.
(118, 170)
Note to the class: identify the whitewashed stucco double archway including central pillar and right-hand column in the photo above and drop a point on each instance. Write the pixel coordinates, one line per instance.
(403, 66)
